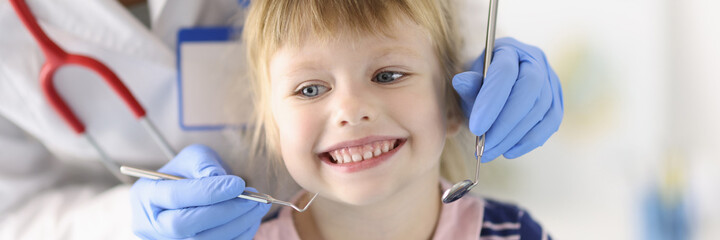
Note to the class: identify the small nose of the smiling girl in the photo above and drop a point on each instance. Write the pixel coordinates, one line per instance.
(353, 110)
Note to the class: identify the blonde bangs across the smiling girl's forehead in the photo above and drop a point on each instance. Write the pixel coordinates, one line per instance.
(273, 24)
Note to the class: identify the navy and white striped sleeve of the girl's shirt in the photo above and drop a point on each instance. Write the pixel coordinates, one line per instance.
(502, 221)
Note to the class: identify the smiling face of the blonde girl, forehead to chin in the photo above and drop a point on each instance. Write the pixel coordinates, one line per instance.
(360, 118)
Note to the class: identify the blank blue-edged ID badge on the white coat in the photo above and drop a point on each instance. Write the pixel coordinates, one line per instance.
(211, 71)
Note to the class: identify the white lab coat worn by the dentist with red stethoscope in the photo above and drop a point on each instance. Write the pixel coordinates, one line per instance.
(52, 184)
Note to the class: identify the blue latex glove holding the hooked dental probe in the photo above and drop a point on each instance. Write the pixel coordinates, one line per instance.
(203, 206)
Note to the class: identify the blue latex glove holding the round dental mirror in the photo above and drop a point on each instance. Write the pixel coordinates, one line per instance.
(520, 104)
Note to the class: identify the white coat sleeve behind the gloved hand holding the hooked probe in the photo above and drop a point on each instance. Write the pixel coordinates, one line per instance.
(45, 198)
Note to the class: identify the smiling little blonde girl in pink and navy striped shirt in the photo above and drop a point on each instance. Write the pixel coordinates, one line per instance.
(354, 98)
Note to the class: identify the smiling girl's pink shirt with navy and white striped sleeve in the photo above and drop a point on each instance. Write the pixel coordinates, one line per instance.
(467, 218)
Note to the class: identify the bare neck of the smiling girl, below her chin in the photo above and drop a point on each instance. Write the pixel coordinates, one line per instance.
(411, 213)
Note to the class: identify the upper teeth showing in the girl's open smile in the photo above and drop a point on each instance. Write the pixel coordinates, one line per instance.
(364, 152)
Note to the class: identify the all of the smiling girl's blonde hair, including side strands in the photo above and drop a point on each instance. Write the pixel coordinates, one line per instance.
(272, 24)
